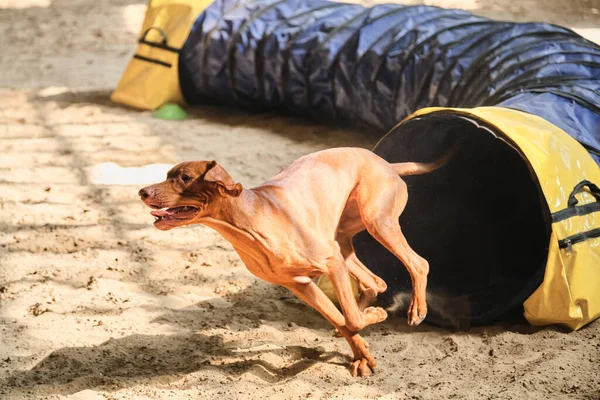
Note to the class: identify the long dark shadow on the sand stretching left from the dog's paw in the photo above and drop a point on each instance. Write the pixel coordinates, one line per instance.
(137, 359)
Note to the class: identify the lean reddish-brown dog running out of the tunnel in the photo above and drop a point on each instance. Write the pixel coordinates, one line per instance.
(299, 225)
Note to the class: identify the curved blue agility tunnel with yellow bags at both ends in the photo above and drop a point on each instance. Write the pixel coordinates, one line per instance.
(511, 223)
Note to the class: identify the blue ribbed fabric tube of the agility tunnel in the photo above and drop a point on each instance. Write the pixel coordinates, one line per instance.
(377, 65)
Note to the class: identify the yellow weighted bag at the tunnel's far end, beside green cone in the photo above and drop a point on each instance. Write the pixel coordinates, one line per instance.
(151, 78)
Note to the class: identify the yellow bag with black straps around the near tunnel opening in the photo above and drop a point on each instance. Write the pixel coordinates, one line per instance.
(568, 177)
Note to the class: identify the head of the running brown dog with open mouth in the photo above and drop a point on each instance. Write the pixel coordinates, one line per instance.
(187, 193)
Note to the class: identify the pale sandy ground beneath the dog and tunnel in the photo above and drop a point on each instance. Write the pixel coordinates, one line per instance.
(97, 304)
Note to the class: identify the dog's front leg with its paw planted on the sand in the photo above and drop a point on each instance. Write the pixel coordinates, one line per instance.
(363, 363)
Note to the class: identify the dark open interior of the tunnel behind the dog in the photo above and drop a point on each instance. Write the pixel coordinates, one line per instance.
(480, 221)
